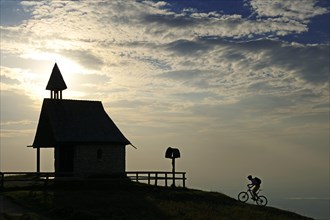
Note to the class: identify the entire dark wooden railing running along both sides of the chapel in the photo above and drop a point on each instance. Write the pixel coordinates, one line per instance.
(138, 176)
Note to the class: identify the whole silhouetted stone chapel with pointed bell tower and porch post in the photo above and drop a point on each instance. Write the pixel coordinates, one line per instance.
(86, 141)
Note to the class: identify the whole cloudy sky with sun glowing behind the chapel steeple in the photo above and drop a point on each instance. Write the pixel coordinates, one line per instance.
(240, 87)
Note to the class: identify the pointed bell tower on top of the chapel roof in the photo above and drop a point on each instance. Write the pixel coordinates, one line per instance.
(56, 83)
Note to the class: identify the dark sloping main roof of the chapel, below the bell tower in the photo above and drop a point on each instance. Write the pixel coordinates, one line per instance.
(75, 122)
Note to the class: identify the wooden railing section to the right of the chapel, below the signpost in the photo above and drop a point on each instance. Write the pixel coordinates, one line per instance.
(157, 176)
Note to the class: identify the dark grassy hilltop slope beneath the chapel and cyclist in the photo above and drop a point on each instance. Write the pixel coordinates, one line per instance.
(104, 200)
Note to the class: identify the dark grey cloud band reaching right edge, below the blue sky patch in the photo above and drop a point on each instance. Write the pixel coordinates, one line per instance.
(310, 62)
